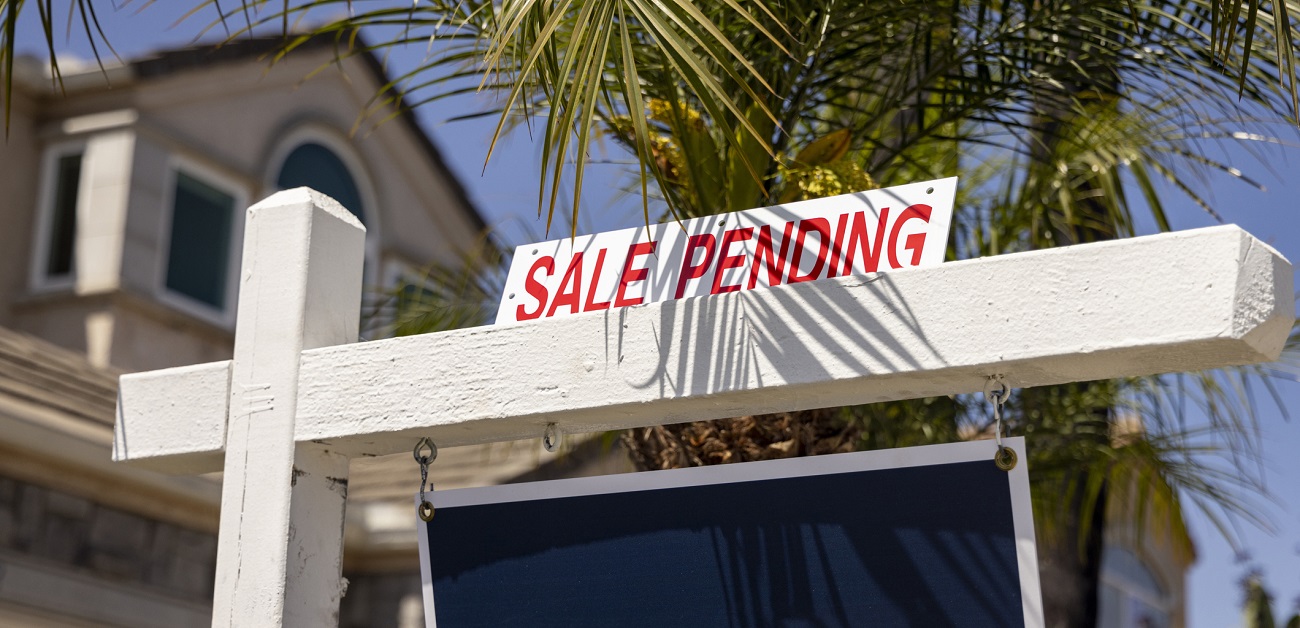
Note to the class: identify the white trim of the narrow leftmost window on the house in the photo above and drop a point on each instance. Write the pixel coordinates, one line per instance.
(37, 278)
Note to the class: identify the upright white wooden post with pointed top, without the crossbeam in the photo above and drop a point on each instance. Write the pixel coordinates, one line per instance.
(281, 542)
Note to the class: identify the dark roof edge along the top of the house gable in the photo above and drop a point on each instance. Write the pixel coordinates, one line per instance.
(172, 62)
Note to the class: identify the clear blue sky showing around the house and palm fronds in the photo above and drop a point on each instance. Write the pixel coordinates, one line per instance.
(508, 196)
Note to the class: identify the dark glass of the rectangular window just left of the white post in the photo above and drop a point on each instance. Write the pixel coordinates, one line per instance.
(200, 253)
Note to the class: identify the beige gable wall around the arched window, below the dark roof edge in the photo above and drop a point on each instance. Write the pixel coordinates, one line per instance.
(414, 219)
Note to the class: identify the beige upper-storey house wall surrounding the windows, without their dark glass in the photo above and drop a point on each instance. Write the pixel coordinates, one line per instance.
(231, 122)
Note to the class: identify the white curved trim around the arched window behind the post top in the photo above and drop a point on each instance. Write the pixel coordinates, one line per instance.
(345, 151)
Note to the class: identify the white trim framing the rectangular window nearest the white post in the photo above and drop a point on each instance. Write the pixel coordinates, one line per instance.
(224, 318)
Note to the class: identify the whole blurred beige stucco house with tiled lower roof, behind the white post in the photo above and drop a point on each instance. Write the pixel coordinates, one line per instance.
(120, 239)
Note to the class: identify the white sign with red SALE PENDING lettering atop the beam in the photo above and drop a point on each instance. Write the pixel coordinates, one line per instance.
(860, 233)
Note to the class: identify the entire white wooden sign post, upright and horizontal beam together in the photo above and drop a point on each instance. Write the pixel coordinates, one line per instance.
(298, 401)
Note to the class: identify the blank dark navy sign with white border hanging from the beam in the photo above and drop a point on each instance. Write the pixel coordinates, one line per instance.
(912, 538)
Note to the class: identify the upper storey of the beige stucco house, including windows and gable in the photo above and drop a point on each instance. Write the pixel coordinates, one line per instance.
(140, 177)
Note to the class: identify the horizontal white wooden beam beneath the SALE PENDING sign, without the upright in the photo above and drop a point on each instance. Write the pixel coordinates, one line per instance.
(1175, 302)
